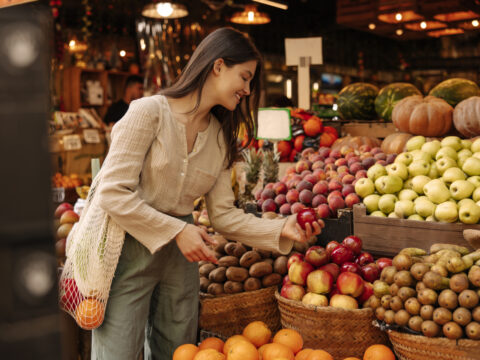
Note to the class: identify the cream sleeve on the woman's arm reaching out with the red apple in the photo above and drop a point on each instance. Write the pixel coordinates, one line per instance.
(234, 224)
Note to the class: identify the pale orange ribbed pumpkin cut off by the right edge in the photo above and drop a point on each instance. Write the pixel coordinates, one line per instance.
(466, 117)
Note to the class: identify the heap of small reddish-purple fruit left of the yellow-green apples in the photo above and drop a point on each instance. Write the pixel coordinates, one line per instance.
(324, 180)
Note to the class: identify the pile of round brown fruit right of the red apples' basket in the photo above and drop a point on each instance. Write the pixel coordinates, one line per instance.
(436, 294)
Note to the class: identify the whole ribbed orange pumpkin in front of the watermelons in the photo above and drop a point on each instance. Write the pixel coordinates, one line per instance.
(429, 116)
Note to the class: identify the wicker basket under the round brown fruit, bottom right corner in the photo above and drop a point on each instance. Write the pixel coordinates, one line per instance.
(418, 347)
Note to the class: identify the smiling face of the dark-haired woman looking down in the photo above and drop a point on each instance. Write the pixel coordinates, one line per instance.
(234, 83)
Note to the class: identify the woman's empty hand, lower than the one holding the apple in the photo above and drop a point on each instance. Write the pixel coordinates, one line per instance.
(191, 242)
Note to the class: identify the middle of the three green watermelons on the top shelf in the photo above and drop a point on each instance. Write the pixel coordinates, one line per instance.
(391, 94)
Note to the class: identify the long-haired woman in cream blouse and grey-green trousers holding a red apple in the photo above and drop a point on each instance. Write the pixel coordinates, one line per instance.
(166, 151)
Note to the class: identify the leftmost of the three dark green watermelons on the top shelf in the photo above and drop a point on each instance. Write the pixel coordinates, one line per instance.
(357, 101)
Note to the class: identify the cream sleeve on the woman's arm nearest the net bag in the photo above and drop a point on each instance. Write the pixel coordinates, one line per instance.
(132, 138)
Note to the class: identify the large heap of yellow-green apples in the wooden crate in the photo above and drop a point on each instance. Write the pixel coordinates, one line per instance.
(432, 181)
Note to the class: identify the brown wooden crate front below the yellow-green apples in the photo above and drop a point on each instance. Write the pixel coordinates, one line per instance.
(387, 236)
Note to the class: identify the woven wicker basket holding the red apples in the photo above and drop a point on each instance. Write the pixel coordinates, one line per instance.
(341, 332)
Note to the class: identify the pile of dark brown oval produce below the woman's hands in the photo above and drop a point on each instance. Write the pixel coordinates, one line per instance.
(240, 268)
